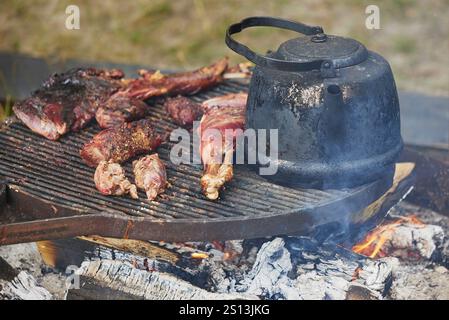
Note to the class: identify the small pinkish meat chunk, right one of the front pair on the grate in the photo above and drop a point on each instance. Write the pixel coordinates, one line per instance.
(150, 175)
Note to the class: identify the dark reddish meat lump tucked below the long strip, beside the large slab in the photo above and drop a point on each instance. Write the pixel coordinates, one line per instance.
(119, 109)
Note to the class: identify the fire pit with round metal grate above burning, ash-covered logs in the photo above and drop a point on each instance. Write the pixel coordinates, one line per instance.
(292, 243)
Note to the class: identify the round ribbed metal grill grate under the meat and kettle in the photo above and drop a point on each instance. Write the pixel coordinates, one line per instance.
(53, 172)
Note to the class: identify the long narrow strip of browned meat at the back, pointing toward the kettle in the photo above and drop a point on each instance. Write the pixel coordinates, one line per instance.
(153, 84)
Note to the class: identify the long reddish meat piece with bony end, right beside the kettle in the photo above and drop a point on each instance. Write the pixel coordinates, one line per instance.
(221, 113)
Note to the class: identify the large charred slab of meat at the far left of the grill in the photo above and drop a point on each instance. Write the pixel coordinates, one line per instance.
(67, 101)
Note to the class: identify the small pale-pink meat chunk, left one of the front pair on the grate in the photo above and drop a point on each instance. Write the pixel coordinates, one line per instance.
(110, 180)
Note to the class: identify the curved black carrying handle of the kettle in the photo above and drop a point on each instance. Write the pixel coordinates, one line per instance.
(269, 62)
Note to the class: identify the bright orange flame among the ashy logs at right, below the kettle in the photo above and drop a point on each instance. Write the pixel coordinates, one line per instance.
(373, 243)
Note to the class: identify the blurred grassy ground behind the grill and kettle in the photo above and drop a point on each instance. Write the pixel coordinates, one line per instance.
(414, 34)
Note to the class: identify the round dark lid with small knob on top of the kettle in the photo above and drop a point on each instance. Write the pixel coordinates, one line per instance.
(343, 52)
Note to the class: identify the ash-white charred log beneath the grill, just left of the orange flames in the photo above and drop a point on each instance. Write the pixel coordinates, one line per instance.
(296, 268)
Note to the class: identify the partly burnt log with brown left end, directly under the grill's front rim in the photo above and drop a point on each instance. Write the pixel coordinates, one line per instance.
(143, 255)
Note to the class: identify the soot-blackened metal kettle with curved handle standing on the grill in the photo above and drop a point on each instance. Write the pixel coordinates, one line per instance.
(334, 103)
